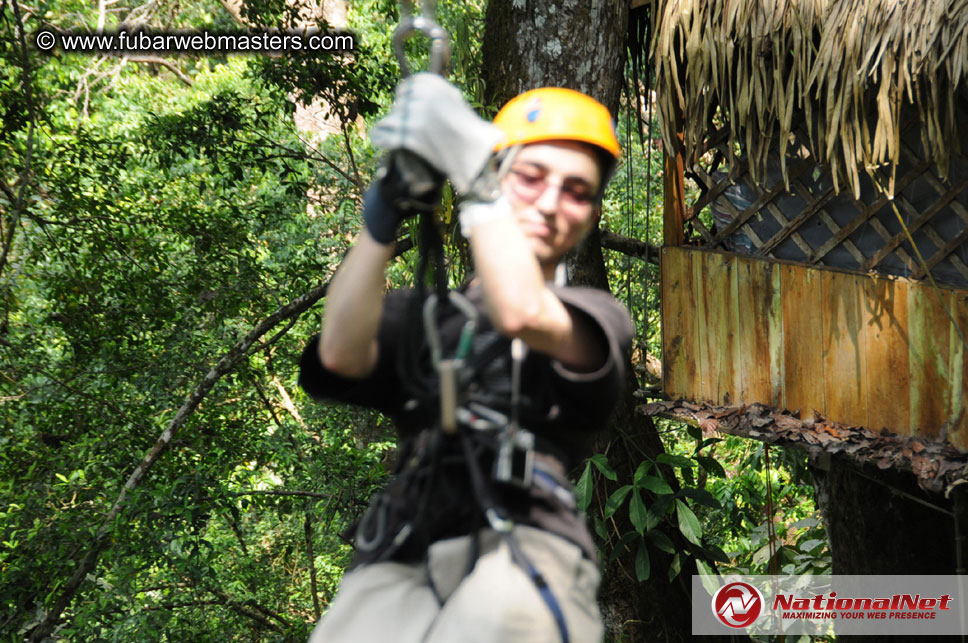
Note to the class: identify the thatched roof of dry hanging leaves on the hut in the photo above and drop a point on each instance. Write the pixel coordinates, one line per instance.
(845, 68)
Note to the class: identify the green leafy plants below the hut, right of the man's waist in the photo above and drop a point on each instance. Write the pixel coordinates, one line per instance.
(710, 505)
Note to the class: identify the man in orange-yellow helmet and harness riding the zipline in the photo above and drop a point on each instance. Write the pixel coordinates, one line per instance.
(477, 536)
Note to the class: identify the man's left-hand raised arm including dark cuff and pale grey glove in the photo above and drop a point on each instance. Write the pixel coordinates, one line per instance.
(429, 123)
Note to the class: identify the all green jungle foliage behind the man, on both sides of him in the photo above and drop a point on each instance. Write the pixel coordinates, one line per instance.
(151, 225)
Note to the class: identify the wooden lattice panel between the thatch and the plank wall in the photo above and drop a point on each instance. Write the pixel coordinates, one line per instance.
(801, 217)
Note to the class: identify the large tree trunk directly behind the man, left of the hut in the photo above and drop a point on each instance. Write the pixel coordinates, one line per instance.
(581, 45)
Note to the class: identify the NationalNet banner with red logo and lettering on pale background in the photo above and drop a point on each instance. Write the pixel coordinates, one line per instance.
(822, 605)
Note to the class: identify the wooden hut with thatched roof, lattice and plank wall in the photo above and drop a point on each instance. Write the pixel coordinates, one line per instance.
(815, 259)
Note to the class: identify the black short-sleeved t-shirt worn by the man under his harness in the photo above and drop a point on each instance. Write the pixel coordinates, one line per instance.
(561, 407)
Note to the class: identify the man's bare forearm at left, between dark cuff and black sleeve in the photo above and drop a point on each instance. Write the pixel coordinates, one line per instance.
(354, 305)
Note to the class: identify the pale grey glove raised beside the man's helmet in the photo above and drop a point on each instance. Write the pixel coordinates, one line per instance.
(430, 118)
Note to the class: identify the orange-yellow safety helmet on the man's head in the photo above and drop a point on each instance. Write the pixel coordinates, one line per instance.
(555, 113)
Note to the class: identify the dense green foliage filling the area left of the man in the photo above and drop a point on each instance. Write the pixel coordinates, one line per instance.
(162, 222)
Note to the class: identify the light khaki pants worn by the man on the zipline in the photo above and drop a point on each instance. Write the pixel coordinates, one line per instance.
(496, 603)
